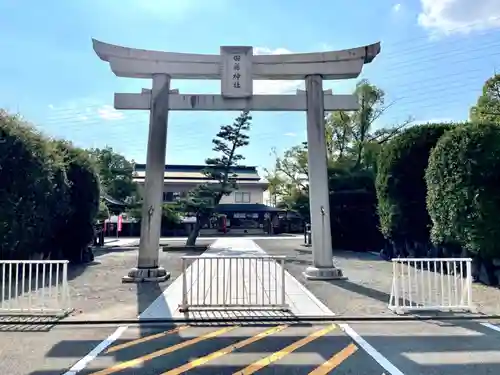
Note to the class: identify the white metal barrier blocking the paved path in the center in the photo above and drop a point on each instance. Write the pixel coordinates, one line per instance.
(233, 283)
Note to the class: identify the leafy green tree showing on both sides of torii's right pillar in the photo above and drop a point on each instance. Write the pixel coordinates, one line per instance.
(351, 143)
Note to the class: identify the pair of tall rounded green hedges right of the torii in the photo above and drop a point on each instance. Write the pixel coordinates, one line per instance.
(440, 183)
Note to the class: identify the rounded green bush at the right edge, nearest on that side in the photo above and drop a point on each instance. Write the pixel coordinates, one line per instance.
(463, 179)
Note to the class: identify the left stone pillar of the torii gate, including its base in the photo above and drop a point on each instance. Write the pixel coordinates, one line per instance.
(148, 268)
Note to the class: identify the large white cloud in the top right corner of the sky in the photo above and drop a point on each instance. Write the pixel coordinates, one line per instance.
(459, 16)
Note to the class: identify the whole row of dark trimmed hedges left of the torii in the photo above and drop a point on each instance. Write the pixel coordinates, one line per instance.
(49, 194)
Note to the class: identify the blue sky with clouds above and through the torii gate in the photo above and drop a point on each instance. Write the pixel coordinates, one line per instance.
(436, 54)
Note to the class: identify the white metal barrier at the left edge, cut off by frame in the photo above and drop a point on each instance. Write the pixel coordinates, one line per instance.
(32, 287)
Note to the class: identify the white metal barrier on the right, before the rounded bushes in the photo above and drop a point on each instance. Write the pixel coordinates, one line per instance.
(431, 284)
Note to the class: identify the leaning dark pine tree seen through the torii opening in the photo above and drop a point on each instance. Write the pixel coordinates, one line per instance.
(221, 179)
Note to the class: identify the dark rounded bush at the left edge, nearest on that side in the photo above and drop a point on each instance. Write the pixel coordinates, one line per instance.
(33, 190)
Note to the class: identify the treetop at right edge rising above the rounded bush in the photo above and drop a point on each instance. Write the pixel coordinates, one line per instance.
(487, 108)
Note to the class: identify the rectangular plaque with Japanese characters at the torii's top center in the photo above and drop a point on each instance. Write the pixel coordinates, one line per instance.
(236, 72)
